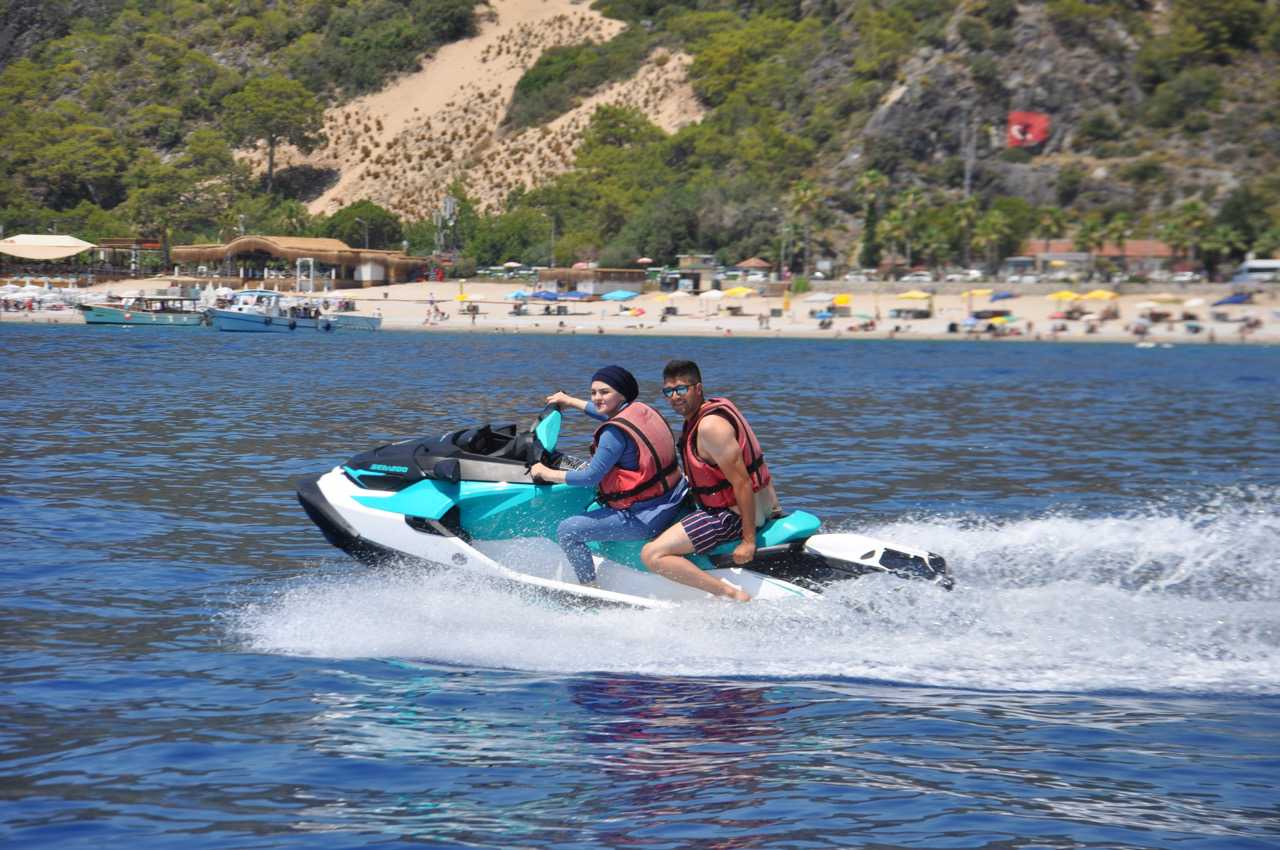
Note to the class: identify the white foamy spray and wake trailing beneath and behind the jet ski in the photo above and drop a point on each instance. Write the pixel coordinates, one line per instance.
(1153, 604)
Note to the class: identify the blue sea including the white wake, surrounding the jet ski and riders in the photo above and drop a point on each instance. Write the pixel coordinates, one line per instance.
(186, 664)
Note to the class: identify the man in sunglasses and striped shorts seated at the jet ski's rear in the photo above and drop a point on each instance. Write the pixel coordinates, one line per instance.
(728, 477)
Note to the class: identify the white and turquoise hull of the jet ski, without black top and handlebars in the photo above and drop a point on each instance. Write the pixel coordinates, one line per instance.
(422, 524)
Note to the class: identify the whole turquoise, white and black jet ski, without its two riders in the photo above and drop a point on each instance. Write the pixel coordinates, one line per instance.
(465, 500)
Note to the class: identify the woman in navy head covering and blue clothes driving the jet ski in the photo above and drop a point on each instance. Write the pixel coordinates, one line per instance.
(634, 469)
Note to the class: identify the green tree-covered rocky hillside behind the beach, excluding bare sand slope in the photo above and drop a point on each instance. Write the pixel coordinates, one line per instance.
(839, 129)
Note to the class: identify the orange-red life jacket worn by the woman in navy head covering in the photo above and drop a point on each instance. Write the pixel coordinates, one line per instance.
(657, 470)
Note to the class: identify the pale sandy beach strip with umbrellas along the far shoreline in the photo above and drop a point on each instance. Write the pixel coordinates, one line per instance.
(408, 307)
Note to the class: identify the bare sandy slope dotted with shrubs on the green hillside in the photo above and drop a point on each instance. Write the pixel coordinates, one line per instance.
(403, 147)
